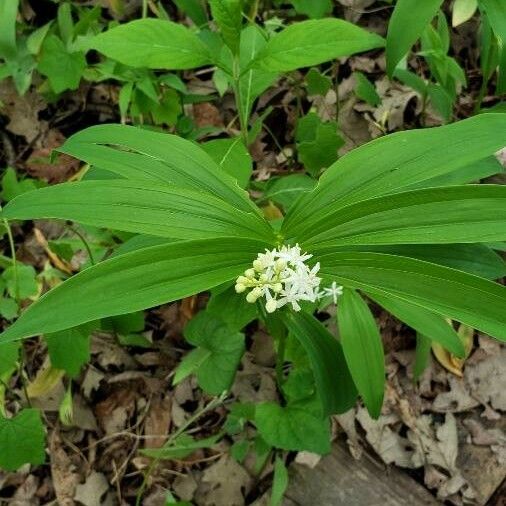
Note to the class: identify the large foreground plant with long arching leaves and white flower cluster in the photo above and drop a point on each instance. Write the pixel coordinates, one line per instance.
(394, 221)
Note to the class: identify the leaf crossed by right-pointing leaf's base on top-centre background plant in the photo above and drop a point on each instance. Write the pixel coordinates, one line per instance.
(252, 81)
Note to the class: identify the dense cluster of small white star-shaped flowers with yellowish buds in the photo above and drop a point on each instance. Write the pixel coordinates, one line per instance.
(282, 277)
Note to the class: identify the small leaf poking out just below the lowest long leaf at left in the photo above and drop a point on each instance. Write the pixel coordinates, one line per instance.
(69, 349)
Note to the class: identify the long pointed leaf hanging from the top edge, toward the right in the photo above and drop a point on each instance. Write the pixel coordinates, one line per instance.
(405, 28)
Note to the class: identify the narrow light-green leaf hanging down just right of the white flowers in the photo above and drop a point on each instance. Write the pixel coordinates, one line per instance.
(363, 349)
